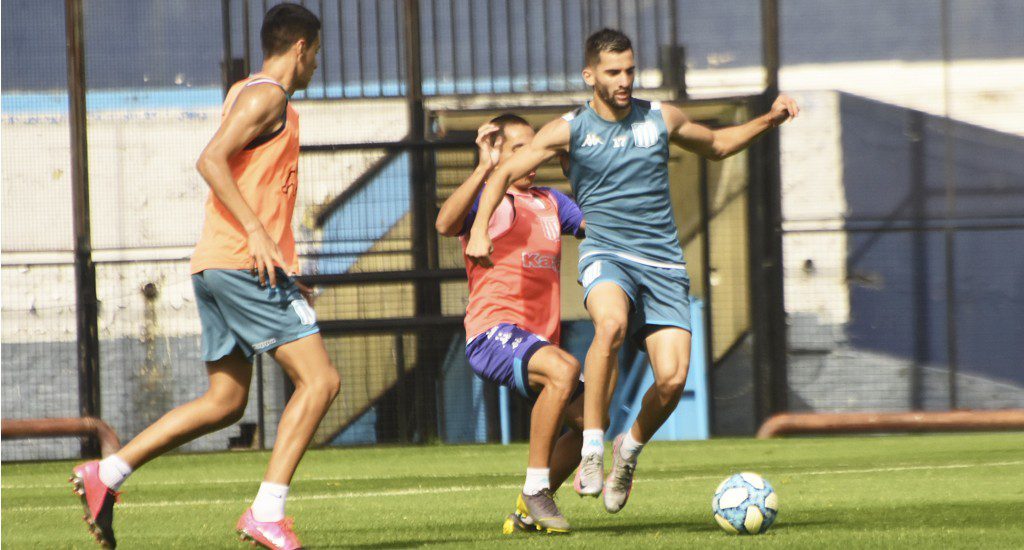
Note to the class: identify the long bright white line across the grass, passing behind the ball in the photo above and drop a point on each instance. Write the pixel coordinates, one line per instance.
(467, 489)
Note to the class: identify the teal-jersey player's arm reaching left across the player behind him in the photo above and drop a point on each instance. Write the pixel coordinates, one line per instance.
(552, 139)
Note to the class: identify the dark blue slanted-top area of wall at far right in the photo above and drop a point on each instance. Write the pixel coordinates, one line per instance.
(895, 179)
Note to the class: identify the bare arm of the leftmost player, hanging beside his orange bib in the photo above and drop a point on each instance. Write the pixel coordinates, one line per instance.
(257, 111)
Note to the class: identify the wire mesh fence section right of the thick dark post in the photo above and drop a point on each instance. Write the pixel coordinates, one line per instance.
(904, 203)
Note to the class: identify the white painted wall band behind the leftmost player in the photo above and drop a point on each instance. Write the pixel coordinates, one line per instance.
(147, 208)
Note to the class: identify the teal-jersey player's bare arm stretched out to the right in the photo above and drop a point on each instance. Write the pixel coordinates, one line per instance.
(723, 143)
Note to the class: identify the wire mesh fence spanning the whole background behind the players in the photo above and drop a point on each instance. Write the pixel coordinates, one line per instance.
(902, 200)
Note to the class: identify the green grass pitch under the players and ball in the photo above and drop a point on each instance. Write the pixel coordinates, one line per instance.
(956, 491)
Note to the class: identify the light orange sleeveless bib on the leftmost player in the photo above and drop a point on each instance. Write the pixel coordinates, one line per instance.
(267, 173)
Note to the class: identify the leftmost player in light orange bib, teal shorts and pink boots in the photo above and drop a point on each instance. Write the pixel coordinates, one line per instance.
(248, 301)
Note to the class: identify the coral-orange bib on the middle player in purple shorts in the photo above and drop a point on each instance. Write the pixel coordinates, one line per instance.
(524, 286)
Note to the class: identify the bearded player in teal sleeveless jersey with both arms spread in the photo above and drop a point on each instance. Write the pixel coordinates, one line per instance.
(631, 264)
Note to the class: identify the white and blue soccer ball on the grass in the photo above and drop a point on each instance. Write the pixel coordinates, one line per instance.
(745, 504)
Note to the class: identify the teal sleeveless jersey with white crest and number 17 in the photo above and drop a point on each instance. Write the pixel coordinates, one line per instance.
(620, 176)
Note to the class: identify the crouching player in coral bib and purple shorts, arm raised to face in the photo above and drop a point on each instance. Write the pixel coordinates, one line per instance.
(514, 316)
